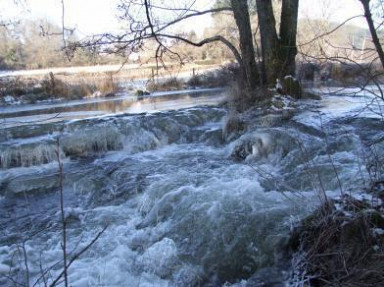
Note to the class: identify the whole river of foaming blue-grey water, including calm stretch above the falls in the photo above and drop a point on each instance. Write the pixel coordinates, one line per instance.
(183, 205)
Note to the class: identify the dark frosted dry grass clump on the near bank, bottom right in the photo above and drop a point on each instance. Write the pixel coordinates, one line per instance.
(340, 246)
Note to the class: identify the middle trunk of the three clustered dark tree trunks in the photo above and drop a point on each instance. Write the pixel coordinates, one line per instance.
(269, 40)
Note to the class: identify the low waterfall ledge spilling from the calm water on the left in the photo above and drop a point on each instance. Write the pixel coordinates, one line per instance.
(89, 138)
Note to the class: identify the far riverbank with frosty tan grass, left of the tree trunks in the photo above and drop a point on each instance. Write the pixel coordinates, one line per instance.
(58, 87)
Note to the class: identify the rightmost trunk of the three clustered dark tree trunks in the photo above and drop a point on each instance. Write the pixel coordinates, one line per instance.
(288, 31)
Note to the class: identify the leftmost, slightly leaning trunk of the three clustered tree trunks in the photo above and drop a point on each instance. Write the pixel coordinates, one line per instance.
(241, 15)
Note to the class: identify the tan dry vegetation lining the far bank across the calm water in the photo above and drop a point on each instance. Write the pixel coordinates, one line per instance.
(70, 86)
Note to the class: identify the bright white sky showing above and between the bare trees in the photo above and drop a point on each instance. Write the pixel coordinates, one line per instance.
(98, 16)
